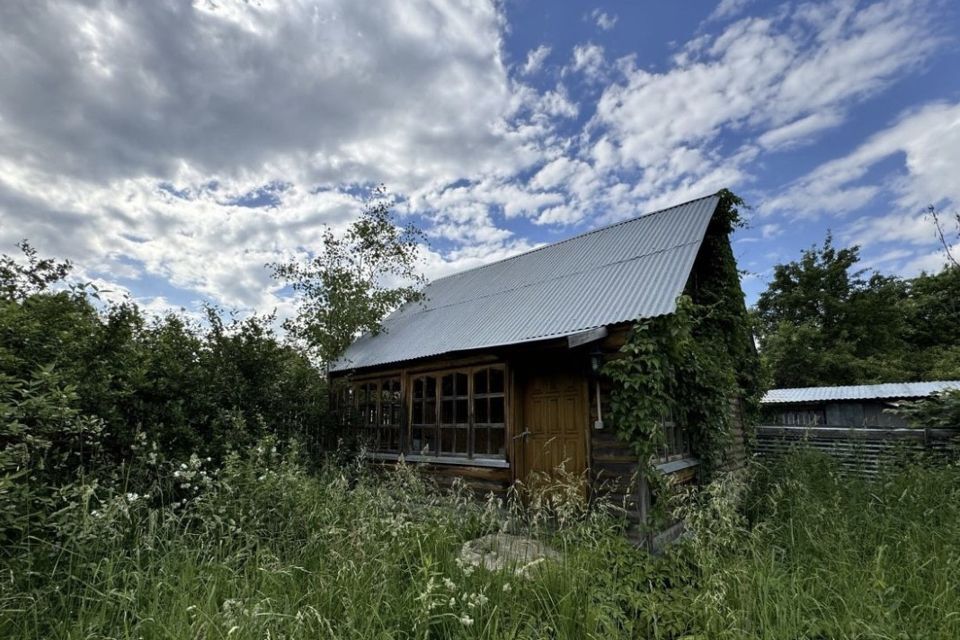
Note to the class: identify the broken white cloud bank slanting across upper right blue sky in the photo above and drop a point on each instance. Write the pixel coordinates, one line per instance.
(772, 81)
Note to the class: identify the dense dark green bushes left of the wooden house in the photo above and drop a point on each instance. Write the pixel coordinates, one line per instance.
(84, 385)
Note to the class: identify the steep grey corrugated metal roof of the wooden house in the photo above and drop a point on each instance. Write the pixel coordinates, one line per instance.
(630, 270)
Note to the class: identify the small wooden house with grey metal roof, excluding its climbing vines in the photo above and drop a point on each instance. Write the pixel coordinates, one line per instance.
(496, 375)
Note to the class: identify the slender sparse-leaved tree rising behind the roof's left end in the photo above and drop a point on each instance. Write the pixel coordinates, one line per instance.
(354, 280)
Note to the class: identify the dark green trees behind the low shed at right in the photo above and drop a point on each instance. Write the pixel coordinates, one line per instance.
(821, 322)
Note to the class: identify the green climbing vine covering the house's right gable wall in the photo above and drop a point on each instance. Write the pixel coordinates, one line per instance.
(687, 366)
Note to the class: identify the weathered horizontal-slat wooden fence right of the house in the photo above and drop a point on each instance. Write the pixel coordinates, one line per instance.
(861, 450)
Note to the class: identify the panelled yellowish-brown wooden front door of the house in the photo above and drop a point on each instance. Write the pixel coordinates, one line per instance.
(554, 427)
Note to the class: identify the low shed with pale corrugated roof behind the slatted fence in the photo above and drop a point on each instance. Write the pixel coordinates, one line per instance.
(847, 406)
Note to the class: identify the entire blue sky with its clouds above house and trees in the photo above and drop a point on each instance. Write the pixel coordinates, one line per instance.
(171, 149)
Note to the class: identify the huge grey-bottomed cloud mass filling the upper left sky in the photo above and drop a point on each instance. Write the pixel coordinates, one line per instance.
(196, 141)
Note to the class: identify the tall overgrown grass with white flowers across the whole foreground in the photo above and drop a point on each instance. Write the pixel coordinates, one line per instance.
(263, 549)
